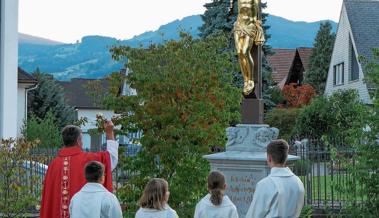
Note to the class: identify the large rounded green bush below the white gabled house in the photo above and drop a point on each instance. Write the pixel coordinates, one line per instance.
(334, 116)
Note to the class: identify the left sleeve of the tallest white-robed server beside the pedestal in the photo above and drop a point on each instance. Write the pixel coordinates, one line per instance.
(263, 197)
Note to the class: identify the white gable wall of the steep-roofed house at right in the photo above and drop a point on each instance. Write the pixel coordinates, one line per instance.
(341, 54)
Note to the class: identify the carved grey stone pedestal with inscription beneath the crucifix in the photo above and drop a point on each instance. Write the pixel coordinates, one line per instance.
(244, 162)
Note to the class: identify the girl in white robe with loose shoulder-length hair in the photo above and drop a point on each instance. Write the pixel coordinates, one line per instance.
(154, 201)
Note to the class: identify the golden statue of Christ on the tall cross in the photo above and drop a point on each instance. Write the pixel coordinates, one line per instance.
(247, 33)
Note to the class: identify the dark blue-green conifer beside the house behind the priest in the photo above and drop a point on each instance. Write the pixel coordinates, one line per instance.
(49, 96)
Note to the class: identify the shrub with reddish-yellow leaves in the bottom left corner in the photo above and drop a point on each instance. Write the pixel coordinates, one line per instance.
(17, 189)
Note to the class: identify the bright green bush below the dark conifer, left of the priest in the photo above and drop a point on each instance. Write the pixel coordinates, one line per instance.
(45, 130)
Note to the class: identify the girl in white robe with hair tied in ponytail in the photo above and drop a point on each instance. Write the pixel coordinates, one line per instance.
(216, 204)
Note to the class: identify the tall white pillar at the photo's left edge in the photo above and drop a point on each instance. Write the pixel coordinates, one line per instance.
(8, 68)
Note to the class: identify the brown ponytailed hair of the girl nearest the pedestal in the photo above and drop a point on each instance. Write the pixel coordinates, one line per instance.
(216, 184)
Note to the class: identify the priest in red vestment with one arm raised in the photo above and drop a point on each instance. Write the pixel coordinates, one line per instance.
(65, 174)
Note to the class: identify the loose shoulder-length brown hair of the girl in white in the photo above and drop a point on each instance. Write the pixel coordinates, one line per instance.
(154, 194)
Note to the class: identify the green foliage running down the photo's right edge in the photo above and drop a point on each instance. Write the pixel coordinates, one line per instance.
(365, 169)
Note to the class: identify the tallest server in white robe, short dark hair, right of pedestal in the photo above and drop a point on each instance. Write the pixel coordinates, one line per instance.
(281, 194)
